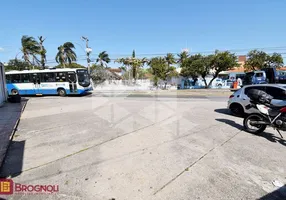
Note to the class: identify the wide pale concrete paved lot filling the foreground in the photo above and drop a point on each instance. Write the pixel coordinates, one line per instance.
(105, 146)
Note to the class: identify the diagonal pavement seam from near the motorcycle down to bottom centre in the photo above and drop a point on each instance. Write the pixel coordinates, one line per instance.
(199, 159)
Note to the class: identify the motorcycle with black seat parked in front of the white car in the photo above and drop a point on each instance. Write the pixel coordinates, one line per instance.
(269, 114)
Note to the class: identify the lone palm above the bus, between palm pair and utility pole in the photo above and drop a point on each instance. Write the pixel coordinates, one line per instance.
(66, 54)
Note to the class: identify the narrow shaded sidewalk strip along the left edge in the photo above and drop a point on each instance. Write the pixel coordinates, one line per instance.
(10, 114)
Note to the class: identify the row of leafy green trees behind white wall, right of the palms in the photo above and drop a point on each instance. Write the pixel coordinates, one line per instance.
(198, 65)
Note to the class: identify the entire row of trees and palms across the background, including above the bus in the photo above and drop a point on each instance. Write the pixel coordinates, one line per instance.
(159, 68)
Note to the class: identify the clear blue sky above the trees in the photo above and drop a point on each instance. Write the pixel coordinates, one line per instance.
(153, 27)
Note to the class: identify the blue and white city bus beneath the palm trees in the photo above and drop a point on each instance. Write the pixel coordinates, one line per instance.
(48, 82)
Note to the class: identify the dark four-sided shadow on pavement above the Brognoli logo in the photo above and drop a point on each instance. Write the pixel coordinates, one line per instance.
(13, 162)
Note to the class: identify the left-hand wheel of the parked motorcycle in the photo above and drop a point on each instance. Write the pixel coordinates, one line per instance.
(254, 129)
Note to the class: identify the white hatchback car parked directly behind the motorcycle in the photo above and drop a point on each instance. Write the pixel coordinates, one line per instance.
(239, 100)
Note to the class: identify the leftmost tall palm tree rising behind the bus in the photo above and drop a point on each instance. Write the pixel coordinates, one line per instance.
(30, 48)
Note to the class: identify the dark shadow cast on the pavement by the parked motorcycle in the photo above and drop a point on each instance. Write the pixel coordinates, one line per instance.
(269, 136)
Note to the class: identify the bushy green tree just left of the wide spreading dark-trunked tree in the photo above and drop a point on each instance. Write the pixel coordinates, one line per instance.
(160, 69)
